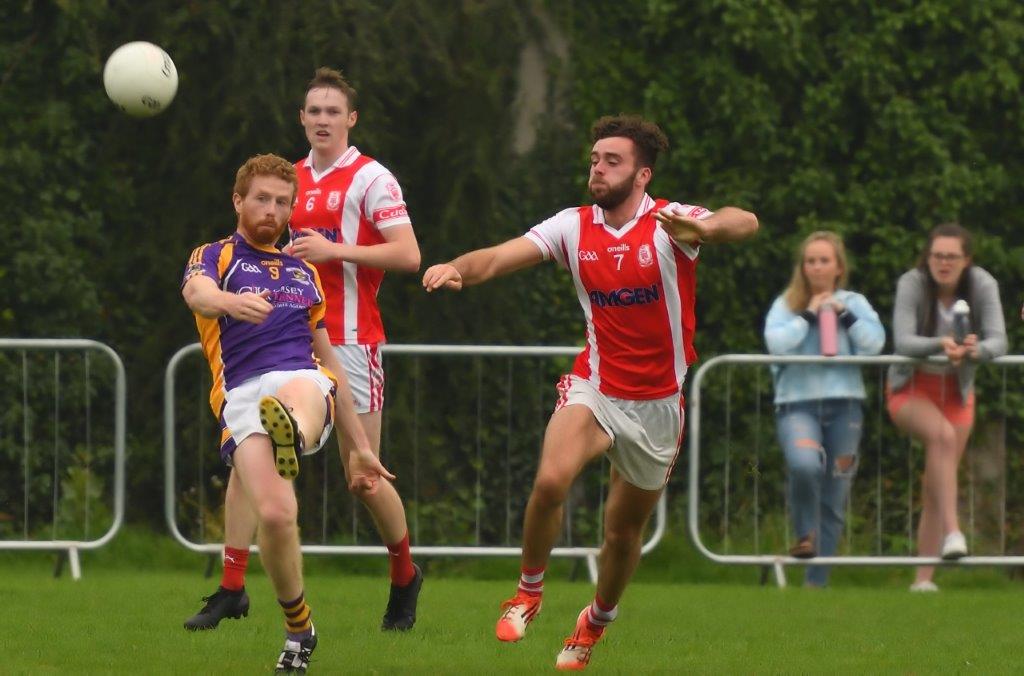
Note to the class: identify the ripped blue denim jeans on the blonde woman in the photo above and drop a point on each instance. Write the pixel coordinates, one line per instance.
(820, 439)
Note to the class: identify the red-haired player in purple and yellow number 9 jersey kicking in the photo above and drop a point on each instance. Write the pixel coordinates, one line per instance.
(261, 317)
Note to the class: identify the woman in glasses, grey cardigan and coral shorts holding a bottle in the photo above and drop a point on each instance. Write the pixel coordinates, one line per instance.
(934, 403)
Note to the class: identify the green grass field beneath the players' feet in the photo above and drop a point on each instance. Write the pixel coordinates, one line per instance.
(119, 620)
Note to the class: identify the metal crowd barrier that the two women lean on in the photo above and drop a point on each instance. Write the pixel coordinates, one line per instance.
(755, 466)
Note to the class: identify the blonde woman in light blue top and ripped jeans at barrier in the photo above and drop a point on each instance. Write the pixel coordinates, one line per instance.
(819, 408)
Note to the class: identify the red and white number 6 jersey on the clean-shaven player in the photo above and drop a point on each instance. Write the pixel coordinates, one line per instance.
(351, 202)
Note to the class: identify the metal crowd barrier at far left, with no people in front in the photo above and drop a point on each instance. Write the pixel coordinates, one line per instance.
(28, 412)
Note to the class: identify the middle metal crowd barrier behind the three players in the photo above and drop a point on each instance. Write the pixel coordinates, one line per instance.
(501, 442)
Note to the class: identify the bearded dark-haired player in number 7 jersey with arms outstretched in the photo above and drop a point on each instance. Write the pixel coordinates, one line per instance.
(633, 262)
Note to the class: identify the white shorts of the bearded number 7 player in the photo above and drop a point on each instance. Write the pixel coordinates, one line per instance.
(646, 434)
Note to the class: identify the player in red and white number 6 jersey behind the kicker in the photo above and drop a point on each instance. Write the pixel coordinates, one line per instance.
(352, 223)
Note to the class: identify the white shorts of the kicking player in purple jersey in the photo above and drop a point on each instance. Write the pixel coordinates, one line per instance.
(240, 417)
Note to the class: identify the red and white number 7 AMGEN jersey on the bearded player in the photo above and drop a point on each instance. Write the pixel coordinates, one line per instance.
(637, 288)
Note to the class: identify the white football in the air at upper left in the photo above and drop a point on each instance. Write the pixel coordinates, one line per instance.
(141, 79)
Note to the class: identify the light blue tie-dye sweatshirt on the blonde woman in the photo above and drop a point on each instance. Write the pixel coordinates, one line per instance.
(861, 332)
